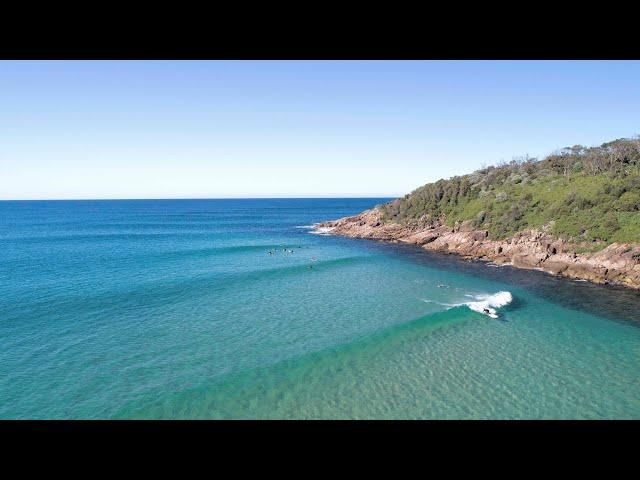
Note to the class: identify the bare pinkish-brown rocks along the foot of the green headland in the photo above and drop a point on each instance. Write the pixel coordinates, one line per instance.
(617, 264)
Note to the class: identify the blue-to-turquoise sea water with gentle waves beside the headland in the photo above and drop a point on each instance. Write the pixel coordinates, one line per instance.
(174, 309)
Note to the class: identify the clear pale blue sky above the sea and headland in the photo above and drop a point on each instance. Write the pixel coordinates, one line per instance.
(277, 129)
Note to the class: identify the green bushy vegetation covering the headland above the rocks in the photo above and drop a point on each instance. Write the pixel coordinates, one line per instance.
(579, 194)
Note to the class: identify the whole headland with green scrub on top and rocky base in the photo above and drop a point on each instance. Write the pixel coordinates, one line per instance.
(575, 214)
